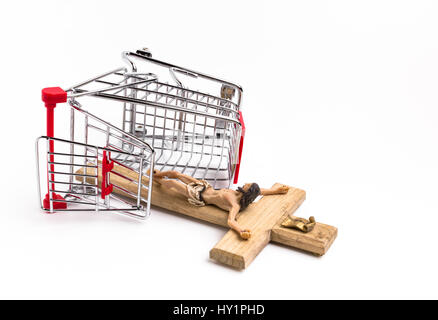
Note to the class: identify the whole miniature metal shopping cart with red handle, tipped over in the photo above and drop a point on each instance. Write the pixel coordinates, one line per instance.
(137, 121)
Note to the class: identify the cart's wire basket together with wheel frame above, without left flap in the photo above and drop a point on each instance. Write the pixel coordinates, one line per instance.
(191, 131)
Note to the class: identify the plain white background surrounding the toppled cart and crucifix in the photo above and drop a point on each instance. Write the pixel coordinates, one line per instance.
(340, 99)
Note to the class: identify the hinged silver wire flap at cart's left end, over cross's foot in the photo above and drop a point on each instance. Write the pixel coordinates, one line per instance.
(81, 189)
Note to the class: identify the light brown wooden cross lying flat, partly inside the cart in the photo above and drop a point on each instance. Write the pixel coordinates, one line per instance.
(263, 218)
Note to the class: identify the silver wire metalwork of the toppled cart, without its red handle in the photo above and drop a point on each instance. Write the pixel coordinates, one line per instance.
(191, 131)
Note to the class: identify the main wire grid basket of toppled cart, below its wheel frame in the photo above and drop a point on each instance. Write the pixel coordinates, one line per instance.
(205, 146)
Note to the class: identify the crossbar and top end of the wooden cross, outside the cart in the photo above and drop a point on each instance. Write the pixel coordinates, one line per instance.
(264, 219)
